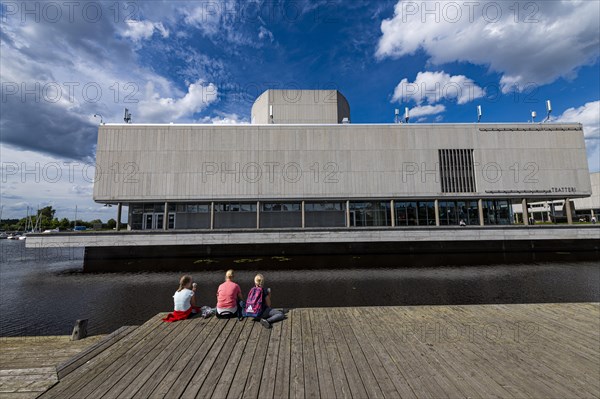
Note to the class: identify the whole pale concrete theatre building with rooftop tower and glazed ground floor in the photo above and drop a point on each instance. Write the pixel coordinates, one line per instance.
(301, 164)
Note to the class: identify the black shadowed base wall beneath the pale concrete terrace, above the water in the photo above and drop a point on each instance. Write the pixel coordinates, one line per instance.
(336, 255)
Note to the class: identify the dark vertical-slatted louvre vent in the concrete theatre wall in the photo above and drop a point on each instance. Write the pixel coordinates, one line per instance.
(456, 170)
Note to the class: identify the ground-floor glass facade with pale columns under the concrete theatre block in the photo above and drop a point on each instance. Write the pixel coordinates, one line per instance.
(319, 214)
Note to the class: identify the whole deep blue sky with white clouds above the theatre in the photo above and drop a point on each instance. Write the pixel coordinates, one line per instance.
(206, 61)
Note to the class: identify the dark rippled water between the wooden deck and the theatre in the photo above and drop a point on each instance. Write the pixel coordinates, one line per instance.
(43, 292)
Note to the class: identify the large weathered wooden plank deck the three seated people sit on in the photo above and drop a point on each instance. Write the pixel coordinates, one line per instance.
(476, 351)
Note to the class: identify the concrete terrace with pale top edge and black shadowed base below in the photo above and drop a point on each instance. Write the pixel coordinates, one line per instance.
(326, 248)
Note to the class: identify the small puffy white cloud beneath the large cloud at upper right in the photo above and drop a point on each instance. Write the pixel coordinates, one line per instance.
(435, 86)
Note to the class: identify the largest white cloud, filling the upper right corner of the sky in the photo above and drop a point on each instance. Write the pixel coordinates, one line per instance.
(527, 42)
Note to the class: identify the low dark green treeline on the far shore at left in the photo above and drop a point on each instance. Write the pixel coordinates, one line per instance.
(48, 221)
